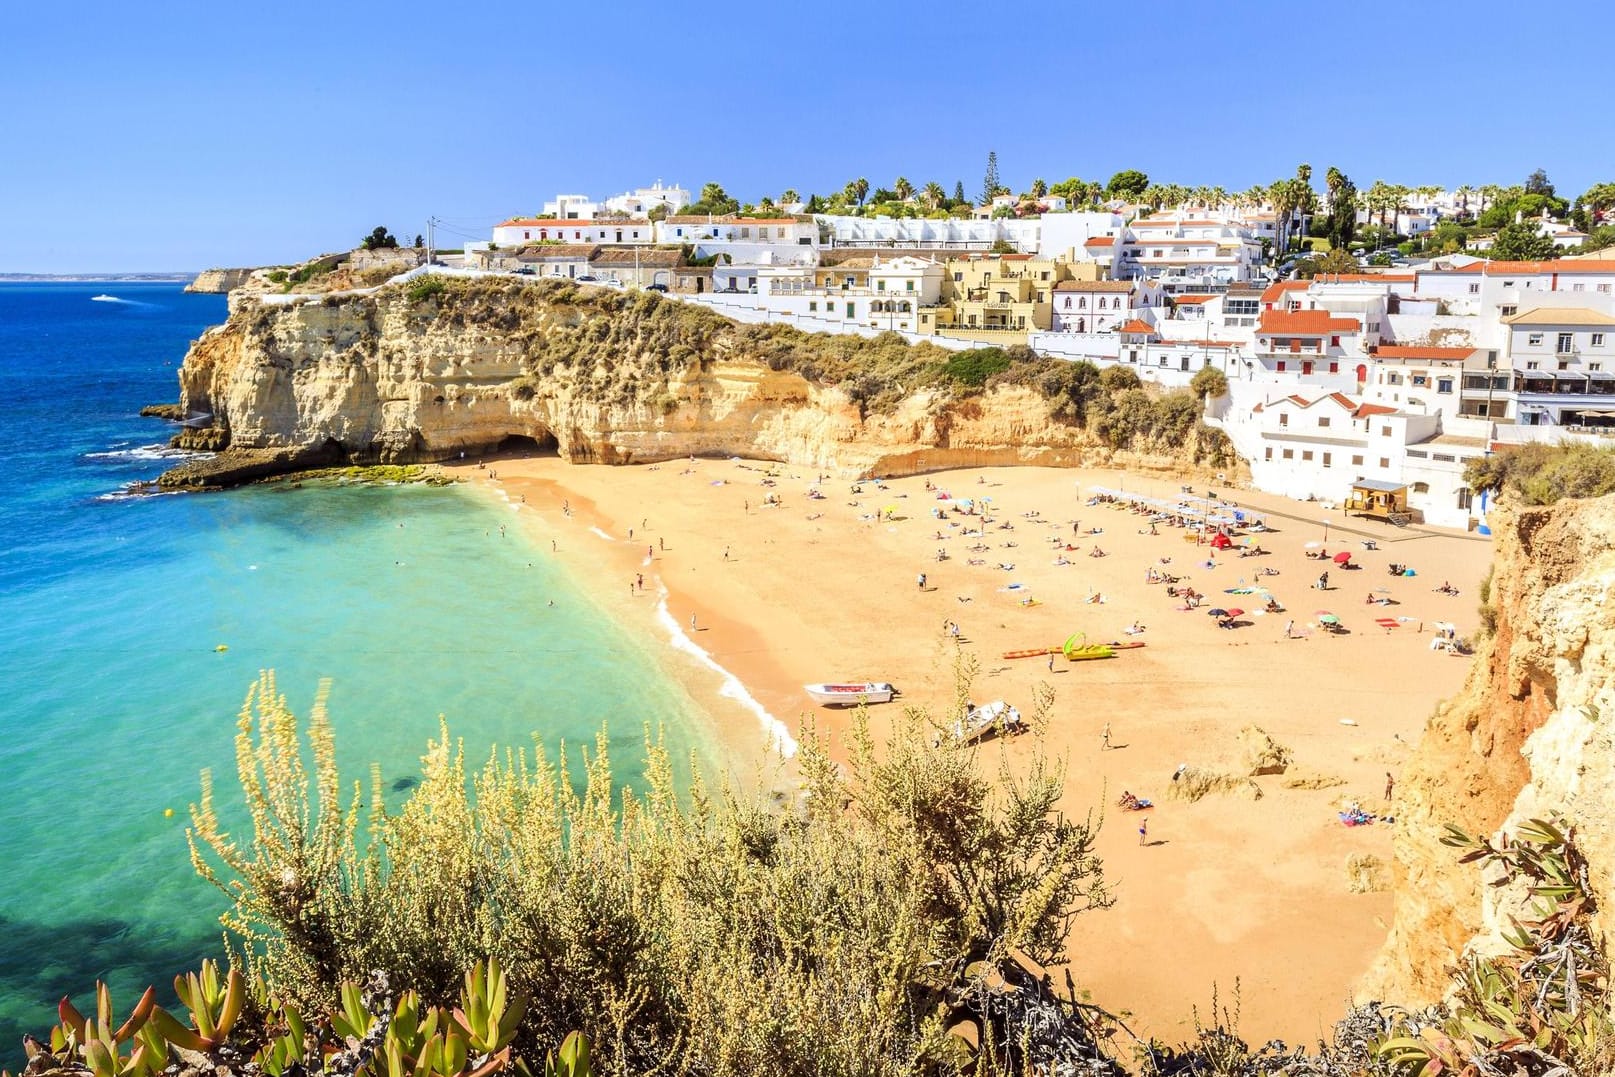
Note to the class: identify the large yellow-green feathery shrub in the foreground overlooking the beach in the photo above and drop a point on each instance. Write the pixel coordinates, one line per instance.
(700, 931)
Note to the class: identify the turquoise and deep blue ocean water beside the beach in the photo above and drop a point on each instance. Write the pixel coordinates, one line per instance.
(114, 610)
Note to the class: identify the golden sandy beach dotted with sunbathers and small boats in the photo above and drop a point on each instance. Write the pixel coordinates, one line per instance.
(1228, 887)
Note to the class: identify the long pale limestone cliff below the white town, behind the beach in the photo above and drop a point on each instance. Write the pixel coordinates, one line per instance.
(432, 369)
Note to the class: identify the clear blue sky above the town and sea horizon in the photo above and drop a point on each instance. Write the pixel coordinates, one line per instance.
(183, 136)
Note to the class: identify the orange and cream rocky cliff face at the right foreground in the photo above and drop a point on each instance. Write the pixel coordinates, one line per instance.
(1529, 737)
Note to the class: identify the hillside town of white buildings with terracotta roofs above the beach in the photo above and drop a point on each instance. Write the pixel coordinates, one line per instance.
(1372, 343)
